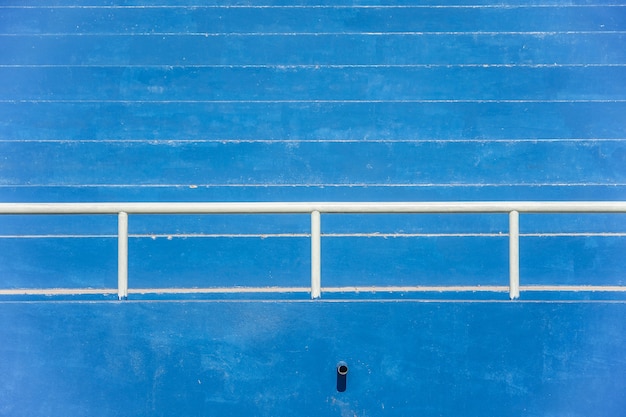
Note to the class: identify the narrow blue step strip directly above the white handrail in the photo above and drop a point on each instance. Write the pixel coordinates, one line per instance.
(303, 192)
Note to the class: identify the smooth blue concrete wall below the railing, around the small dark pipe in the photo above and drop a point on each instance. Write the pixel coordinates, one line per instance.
(256, 358)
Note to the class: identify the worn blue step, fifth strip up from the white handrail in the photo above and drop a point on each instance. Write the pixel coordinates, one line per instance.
(440, 49)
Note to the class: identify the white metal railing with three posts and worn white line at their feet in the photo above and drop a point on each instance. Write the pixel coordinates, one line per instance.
(315, 209)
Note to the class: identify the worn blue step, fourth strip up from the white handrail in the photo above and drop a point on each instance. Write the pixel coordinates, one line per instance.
(335, 83)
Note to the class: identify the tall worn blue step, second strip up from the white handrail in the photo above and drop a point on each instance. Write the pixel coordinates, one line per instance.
(315, 163)
